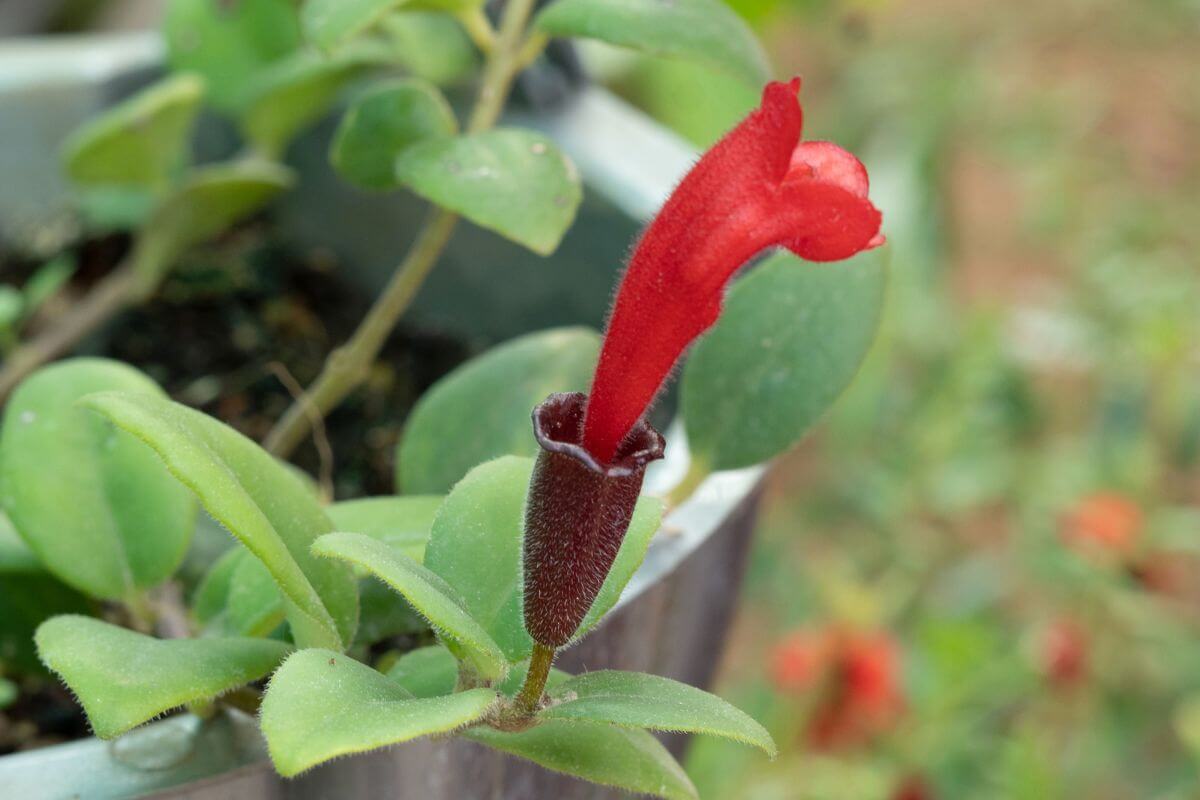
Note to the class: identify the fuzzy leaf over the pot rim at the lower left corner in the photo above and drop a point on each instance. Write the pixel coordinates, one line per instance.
(124, 679)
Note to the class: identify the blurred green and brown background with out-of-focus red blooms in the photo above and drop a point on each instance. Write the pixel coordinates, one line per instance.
(981, 578)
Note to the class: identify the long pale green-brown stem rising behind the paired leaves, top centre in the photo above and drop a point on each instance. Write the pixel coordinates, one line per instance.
(347, 366)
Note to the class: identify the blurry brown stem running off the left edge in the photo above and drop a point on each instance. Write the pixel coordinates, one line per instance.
(111, 297)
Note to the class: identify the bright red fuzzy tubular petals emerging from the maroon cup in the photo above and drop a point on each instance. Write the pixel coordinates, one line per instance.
(759, 188)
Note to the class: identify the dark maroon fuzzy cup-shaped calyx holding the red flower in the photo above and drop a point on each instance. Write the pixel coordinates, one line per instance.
(577, 518)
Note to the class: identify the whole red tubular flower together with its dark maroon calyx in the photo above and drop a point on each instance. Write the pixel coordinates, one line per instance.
(759, 188)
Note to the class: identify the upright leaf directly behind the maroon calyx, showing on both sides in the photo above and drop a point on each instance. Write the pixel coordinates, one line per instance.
(476, 548)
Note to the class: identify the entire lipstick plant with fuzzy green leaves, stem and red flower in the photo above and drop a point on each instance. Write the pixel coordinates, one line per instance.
(506, 542)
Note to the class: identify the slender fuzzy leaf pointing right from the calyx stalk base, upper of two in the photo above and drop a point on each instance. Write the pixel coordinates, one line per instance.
(635, 700)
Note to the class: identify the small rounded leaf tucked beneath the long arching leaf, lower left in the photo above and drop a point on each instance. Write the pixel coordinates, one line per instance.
(239, 597)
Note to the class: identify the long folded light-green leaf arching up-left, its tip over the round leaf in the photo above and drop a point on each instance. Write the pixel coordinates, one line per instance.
(261, 502)
